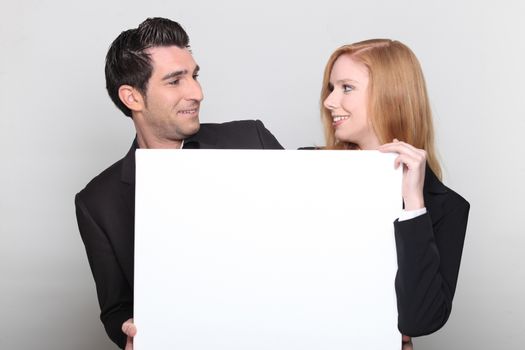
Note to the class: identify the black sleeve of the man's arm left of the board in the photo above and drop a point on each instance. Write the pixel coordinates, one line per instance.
(115, 296)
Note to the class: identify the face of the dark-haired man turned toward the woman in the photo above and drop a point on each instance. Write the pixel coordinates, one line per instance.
(173, 96)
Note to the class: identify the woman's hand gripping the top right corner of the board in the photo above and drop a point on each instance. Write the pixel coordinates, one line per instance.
(414, 161)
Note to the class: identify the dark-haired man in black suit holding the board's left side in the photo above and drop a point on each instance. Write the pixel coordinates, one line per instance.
(152, 77)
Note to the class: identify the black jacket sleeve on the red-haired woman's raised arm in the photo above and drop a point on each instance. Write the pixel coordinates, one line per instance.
(428, 256)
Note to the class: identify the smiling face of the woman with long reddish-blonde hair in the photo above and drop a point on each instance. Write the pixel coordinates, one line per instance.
(348, 103)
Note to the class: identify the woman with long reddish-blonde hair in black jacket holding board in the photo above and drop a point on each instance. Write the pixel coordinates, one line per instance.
(374, 97)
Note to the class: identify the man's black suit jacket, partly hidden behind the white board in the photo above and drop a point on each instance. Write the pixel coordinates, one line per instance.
(105, 211)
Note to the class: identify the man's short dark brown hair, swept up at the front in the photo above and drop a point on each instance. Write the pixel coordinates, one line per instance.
(128, 63)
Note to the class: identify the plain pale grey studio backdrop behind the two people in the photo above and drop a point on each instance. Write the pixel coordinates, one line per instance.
(58, 129)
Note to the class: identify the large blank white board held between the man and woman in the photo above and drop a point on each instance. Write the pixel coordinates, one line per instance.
(264, 249)
